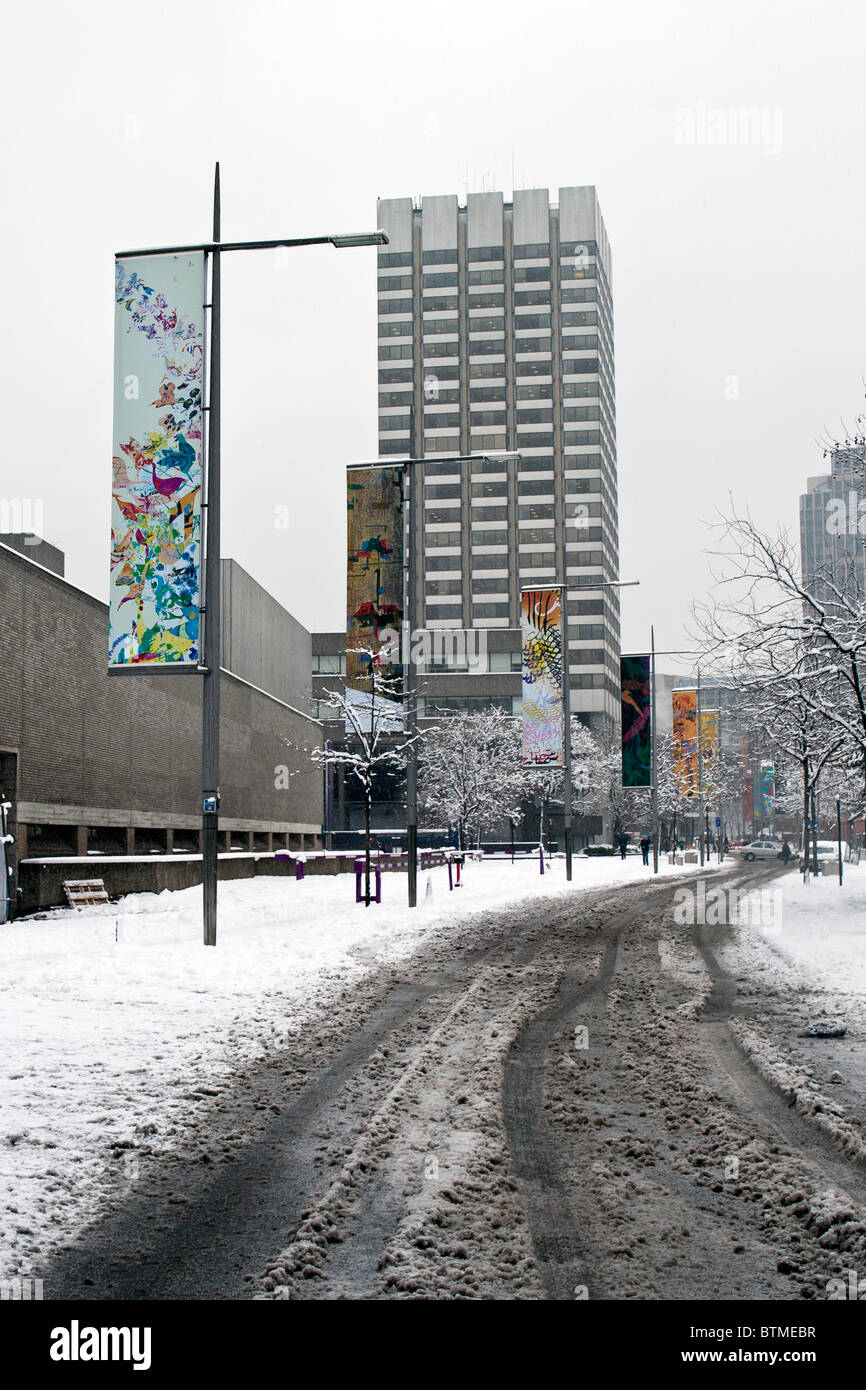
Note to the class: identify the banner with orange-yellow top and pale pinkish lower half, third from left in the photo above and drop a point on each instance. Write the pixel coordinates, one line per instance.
(541, 632)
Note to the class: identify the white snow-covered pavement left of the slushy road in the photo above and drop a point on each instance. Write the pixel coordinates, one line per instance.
(116, 1022)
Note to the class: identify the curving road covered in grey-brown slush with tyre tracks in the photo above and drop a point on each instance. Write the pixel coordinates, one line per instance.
(548, 1102)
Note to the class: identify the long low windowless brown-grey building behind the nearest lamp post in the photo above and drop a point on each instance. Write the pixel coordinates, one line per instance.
(97, 764)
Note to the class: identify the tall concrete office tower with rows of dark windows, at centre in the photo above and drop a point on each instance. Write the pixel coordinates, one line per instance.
(496, 325)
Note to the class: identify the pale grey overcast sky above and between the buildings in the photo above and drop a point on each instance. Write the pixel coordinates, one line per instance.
(739, 270)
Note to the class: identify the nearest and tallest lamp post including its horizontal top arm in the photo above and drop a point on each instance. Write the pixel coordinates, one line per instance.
(211, 610)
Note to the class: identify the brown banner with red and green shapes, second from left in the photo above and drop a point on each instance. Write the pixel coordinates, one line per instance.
(375, 573)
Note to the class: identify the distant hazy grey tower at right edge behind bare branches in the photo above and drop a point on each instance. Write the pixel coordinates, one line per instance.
(833, 526)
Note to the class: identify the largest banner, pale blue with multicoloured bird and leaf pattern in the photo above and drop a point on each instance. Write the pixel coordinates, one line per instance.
(158, 464)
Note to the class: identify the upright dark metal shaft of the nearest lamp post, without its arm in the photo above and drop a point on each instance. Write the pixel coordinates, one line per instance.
(211, 687)
